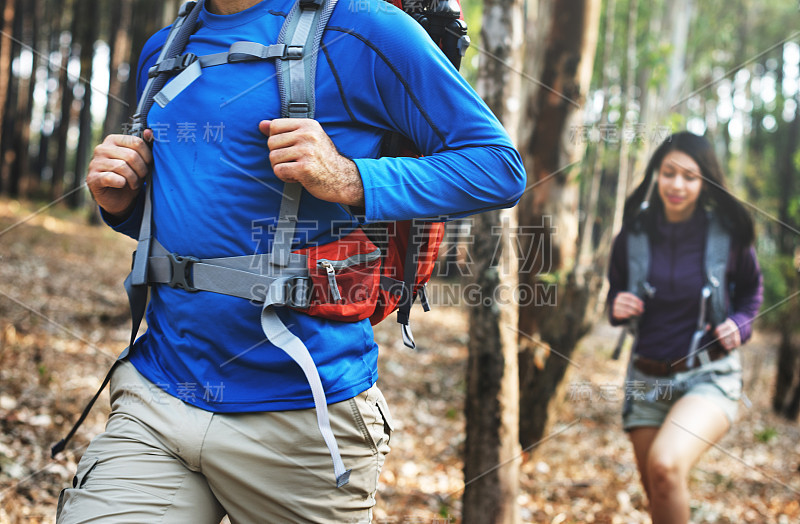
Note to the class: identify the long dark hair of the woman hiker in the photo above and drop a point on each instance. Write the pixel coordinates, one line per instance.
(714, 195)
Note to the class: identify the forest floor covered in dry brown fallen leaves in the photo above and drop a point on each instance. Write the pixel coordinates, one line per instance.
(63, 318)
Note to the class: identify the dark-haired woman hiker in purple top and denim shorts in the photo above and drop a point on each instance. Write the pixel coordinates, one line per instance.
(685, 278)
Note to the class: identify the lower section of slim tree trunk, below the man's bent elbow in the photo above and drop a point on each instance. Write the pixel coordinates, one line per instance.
(492, 454)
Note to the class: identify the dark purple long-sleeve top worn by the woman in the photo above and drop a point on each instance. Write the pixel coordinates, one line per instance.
(677, 274)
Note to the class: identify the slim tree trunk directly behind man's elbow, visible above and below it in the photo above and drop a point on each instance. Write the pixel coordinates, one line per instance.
(492, 455)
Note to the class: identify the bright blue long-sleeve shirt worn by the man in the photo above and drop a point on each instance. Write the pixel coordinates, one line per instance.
(215, 195)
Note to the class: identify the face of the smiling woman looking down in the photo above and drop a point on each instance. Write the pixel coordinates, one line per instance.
(679, 185)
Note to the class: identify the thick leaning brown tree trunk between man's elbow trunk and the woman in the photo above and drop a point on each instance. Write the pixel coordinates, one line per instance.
(566, 70)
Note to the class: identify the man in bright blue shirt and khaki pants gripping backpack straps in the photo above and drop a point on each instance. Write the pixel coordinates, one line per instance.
(208, 416)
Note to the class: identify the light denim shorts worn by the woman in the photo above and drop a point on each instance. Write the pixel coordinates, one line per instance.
(648, 399)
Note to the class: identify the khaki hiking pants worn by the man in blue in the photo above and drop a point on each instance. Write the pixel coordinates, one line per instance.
(161, 460)
